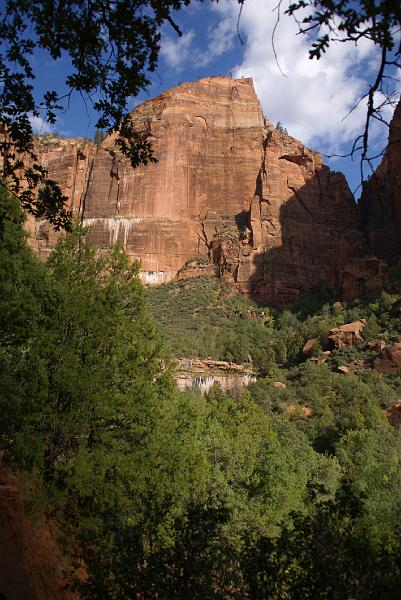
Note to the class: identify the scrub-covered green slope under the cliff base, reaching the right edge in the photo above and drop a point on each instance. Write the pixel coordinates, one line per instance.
(201, 317)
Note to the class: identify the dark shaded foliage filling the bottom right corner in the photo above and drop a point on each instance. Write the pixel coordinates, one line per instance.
(326, 554)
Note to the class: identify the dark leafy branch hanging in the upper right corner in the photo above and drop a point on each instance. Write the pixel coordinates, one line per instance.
(347, 21)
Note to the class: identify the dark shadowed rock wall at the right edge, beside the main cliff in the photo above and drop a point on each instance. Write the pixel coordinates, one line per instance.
(381, 199)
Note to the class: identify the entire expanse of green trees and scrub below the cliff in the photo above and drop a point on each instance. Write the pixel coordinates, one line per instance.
(165, 494)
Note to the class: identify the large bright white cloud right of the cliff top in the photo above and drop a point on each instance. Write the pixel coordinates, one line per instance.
(313, 98)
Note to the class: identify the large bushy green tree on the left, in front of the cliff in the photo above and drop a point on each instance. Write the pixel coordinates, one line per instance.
(80, 371)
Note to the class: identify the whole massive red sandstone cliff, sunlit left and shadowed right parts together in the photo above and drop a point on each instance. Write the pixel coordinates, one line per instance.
(227, 187)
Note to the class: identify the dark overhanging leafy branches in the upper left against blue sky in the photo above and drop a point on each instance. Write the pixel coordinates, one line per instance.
(112, 47)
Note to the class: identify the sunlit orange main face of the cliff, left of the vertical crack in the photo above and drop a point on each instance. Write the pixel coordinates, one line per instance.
(207, 137)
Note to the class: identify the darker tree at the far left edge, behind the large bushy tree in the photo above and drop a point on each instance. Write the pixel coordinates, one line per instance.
(24, 288)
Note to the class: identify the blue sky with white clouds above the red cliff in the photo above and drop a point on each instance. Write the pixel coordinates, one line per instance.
(310, 98)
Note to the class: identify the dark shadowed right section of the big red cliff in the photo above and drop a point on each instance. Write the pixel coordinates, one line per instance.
(300, 251)
